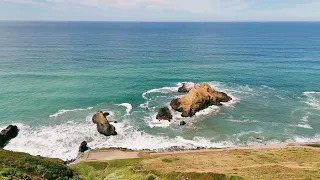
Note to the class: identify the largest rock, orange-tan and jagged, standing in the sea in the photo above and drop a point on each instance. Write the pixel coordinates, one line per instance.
(198, 98)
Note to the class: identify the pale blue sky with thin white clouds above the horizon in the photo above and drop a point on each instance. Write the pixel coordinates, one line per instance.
(160, 10)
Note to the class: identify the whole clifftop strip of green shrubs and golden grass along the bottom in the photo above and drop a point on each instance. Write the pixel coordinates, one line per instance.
(209, 164)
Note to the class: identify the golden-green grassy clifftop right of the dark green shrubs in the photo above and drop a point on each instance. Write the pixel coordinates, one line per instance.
(221, 164)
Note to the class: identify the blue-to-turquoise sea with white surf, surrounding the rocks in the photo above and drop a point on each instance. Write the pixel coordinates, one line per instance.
(55, 75)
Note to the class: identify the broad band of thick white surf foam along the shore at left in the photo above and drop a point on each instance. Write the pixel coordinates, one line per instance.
(63, 140)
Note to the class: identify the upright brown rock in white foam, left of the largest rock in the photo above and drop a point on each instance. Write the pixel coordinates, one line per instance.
(103, 125)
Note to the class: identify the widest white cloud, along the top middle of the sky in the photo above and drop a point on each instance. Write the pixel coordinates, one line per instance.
(189, 6)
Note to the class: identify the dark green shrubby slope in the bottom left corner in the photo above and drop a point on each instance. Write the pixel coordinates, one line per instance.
(15, 165)
